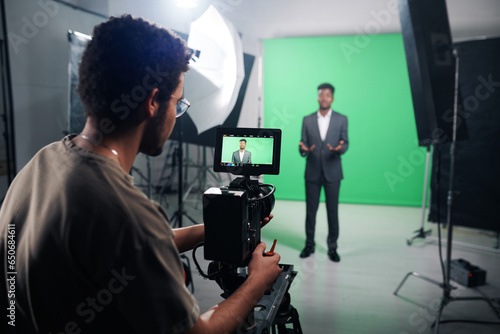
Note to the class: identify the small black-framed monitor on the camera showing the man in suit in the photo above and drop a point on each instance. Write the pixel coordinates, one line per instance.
(247, 151)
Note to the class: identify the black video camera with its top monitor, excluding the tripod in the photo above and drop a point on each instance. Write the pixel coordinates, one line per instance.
(232, 215)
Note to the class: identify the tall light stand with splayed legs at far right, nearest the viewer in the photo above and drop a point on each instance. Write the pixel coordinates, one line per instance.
(446, 297)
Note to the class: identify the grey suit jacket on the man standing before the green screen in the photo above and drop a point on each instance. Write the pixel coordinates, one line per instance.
(321, 159)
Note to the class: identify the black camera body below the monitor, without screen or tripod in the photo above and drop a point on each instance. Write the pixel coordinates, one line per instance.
(232, 217)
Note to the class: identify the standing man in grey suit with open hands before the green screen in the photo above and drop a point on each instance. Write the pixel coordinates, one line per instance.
(324, 140)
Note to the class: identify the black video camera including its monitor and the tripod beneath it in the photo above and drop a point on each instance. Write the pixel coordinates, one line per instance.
(233, 215)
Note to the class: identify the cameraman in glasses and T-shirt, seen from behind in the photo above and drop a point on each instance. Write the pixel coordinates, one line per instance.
(94, 255)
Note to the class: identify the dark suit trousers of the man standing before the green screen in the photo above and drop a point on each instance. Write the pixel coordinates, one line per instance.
(313, 190)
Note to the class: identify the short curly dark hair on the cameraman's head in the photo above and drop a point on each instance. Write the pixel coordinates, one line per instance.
(127, 58)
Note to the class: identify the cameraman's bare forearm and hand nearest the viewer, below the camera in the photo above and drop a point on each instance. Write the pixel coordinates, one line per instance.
(226, 316)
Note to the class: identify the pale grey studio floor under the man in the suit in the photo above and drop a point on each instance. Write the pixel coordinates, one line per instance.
(357, 294)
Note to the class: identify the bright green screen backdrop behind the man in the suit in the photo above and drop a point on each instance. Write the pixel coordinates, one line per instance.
(383, 164)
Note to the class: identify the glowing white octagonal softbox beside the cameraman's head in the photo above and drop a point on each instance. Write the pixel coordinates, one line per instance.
(216, 71)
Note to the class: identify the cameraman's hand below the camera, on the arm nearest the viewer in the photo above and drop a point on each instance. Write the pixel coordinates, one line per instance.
(264, 270)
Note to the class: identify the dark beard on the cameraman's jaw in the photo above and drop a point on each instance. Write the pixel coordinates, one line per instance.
(152, 143)
